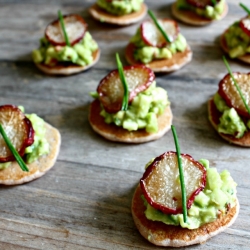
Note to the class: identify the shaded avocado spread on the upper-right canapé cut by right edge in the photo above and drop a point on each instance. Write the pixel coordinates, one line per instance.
(238, 42)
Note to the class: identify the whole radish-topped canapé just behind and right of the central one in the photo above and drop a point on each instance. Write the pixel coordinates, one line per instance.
(151, 47)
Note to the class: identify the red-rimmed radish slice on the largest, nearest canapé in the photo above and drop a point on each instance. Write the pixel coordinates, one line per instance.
(160, 183)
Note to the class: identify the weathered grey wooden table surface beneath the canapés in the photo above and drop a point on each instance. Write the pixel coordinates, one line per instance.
(84, 201)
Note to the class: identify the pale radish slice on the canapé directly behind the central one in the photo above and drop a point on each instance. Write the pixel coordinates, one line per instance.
(153, 37)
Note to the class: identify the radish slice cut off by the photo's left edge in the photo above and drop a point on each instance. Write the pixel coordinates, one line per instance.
(18, 129)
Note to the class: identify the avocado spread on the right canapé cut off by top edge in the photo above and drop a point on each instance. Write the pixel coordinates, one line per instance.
(211, 12)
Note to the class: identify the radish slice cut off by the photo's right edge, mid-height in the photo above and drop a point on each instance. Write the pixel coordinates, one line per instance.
(229, 93)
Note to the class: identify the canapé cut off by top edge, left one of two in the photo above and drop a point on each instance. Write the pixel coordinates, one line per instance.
(119, 12)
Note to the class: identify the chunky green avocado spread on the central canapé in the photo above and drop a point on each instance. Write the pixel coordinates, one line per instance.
(143, 111)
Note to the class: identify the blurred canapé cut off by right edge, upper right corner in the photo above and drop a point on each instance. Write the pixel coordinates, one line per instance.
(235, 41)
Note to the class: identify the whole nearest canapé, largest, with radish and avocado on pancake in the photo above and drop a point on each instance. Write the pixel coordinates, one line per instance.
(157, 209)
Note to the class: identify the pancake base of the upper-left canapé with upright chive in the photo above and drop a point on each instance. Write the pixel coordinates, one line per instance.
(61, 69)
